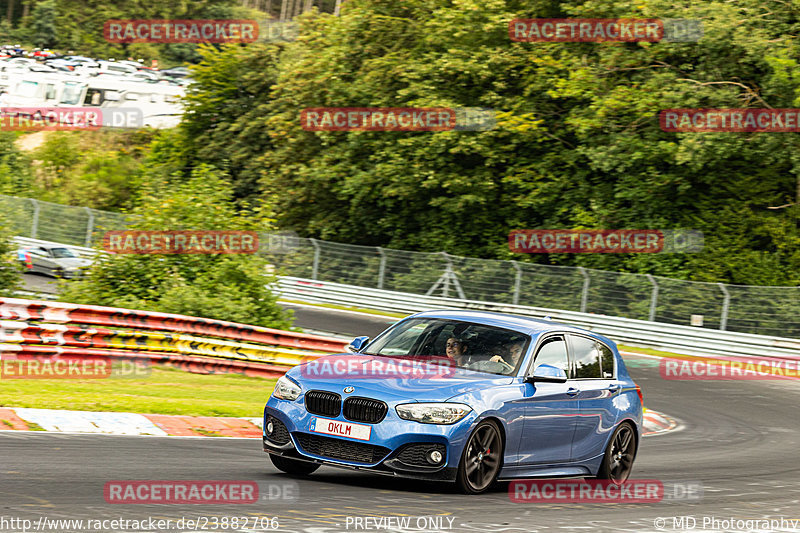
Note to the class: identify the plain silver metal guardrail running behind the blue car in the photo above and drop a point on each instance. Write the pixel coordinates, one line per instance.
(681, 339)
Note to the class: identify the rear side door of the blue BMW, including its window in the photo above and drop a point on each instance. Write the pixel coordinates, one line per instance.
(593, 376)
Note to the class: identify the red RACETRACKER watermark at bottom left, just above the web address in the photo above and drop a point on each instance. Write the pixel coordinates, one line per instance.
(181, 492)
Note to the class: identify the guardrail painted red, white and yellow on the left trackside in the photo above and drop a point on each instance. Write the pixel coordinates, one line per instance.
(41, 328)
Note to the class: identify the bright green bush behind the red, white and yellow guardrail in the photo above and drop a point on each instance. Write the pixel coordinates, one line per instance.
(223, 286)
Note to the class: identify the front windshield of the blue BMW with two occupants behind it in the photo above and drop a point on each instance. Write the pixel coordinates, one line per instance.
(468, 345)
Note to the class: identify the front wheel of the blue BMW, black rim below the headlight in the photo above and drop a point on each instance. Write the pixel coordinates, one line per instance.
(481, 459)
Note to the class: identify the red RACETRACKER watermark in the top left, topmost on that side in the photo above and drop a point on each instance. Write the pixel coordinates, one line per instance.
(180, 31)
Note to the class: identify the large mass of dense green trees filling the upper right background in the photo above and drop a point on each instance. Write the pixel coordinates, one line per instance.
(578, 144)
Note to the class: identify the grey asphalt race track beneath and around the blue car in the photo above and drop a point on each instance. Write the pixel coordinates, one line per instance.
(740, 442)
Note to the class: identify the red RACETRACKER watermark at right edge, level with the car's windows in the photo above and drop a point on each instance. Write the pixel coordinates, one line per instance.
(727, 370)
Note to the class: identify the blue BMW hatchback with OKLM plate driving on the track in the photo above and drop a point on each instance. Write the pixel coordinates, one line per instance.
(461, 396)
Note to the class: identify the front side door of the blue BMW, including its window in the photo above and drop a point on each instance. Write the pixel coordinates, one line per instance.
(550, 409)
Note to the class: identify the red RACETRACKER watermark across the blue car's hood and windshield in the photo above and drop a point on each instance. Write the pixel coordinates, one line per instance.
(365, 367)
